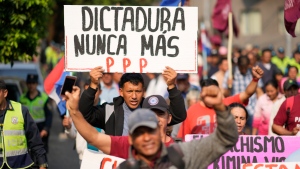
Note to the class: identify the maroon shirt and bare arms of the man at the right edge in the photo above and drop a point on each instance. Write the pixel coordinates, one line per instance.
(292, 120)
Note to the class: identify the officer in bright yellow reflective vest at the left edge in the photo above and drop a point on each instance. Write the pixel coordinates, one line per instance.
(18, 135)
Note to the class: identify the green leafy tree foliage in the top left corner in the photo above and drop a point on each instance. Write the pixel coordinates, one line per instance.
(22, 24)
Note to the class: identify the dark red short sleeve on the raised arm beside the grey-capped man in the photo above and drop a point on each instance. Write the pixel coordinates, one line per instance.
(119, 146)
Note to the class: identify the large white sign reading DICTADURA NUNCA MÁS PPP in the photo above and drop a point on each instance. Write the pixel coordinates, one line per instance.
(131, 39)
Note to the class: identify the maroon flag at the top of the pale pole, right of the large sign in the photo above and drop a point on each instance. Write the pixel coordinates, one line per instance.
(220, 16)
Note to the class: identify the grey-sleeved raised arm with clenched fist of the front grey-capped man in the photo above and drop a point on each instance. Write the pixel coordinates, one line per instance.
(201, 153)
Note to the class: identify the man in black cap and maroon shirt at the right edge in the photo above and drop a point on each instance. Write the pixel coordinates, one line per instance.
(287, 119)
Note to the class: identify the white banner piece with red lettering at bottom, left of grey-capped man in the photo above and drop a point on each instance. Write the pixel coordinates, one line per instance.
(96, 160)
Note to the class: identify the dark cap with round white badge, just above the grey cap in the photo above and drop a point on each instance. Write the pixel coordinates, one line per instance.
(155, 102)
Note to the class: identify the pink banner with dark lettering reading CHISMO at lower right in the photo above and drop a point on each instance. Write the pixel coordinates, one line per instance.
(257, 149)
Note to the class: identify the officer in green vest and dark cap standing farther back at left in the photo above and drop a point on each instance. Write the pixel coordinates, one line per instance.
(37, 103)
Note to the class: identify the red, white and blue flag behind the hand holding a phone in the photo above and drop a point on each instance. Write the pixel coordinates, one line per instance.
(53, 84)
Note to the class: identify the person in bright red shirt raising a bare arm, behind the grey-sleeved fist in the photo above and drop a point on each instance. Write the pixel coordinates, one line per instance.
(201, 119)
